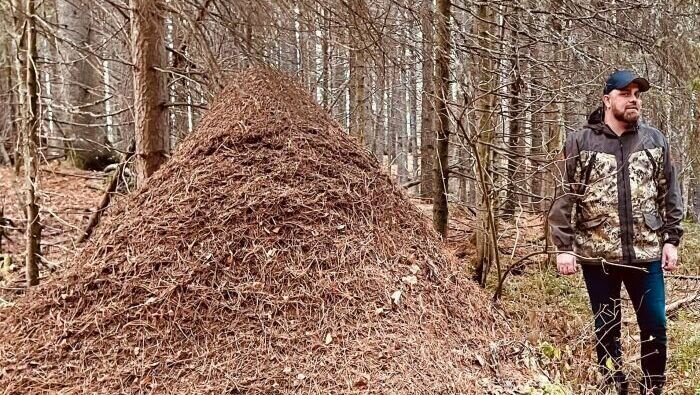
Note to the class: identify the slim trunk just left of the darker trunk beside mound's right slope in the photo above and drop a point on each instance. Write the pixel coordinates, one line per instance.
(427, 136)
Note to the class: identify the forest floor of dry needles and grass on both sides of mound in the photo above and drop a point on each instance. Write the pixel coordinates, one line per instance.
(553, 309)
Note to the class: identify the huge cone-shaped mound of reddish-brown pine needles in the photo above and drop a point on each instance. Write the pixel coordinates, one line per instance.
(269, 255)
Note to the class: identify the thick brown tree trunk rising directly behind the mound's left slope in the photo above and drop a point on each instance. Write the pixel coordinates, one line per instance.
(150, 94)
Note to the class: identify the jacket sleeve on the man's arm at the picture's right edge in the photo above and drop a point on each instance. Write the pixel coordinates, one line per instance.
(669, 200)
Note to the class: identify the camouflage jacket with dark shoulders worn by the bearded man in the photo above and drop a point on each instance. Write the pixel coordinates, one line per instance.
(618, 198)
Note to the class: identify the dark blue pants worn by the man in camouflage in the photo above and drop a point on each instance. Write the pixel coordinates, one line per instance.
(646, 290)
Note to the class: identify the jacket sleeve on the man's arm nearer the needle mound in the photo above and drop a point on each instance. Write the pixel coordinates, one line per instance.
(560, 224)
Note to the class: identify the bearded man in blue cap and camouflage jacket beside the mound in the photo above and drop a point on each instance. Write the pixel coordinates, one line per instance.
(619, 215)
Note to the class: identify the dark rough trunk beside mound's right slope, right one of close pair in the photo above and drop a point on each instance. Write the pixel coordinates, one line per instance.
(441, 121)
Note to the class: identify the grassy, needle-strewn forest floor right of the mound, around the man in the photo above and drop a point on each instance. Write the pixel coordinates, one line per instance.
(555, 311)
